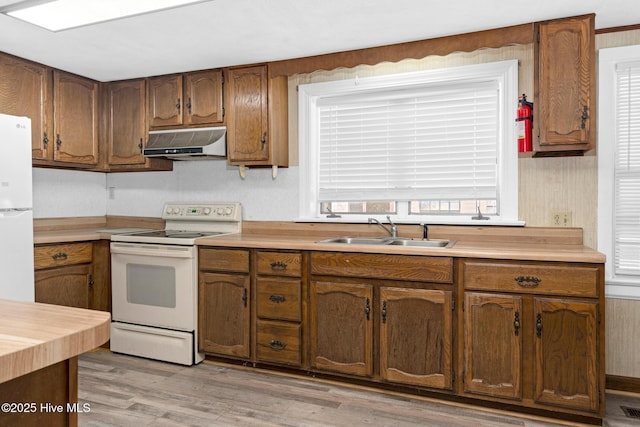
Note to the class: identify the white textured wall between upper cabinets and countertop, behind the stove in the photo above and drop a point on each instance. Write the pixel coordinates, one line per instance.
(61, 193)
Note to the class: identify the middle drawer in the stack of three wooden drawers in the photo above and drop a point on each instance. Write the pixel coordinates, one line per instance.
(279, 298)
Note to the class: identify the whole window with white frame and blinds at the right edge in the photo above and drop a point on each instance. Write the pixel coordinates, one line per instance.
(619, 169)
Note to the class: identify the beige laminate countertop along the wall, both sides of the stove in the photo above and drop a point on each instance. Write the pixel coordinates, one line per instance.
(301, 241)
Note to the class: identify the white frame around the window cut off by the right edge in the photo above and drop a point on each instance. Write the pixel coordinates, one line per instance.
(616, 285)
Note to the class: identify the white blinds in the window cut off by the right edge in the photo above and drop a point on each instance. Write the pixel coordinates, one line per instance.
(627, 171)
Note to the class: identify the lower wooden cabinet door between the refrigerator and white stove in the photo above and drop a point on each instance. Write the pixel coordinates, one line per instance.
(68, 285)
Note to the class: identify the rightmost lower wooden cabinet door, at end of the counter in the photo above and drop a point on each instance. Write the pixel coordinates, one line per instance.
(566, 371)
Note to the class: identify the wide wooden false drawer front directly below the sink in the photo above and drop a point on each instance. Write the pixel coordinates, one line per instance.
(395, 267)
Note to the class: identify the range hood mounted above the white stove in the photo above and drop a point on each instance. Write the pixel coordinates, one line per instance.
(188, 144)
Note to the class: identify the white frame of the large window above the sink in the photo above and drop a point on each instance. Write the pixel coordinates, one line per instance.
(505, 73)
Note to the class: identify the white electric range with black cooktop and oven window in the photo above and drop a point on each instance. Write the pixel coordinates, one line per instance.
(155, 281)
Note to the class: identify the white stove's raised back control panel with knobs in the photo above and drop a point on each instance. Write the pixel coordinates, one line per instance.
(198, 211)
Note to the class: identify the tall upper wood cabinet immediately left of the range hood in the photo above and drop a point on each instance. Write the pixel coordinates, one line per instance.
(125, 115)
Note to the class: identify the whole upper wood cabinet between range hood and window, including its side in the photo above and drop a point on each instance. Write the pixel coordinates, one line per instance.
(257, 126)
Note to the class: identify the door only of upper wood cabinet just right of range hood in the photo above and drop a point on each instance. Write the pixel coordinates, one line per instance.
(247, 138)
